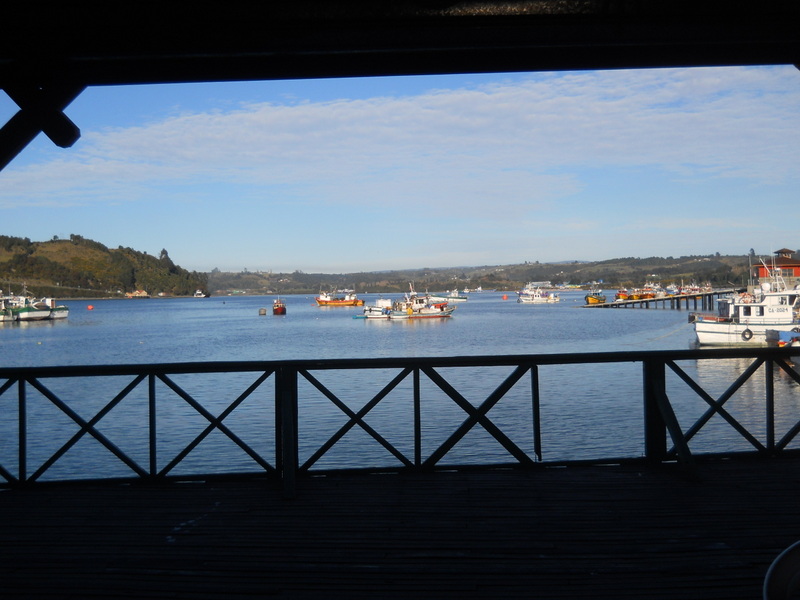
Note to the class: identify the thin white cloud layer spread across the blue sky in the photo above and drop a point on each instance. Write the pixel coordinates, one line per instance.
(518, 151)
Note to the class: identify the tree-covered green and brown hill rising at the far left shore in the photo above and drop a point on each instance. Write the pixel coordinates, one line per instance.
(76, 267)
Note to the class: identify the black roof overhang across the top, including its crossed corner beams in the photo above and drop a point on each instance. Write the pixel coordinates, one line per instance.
(49, 53)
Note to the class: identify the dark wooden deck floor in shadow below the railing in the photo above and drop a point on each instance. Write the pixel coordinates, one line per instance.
(578, 532)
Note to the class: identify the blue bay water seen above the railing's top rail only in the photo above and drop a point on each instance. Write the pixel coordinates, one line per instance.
(230, 328)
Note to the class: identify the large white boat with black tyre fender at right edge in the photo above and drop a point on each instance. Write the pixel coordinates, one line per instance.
(743, 319)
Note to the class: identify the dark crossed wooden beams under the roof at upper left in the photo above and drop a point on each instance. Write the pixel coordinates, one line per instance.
(40, 112)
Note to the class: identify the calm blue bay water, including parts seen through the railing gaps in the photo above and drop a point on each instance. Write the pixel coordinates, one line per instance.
(587, 411)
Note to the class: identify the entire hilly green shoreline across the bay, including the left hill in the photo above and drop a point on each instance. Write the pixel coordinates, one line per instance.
(78, 267)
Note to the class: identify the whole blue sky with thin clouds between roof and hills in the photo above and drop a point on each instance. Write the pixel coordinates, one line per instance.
(349, 175)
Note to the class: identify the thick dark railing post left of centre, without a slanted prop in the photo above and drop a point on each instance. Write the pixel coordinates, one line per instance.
(286, 422)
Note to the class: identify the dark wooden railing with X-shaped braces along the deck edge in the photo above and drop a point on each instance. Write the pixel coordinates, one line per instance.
(282, 389)
